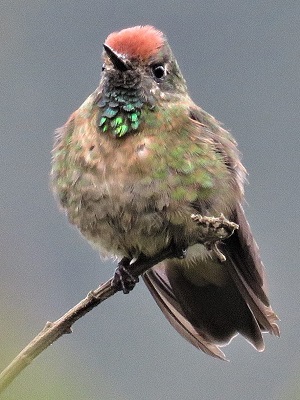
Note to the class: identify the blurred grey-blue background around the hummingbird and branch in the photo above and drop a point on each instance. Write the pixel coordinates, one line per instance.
(241, 63)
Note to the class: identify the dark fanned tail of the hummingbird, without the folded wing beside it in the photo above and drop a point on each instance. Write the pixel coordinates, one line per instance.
(207, 316)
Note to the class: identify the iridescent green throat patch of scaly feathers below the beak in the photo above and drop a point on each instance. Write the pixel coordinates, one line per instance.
(121, 112)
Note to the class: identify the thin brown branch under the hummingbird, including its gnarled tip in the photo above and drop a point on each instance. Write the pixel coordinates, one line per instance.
(211, 230)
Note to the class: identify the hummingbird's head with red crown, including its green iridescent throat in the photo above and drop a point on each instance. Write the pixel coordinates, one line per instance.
(139, 70)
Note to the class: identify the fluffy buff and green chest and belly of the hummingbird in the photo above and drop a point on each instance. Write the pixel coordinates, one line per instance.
(136, 194)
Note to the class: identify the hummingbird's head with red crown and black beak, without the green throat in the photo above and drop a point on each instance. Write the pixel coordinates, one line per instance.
(141, 56)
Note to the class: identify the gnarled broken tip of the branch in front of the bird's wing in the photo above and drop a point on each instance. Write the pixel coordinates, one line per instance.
(213, 230)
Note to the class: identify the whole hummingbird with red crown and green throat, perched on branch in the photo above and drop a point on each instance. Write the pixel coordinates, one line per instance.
(130, 167)
